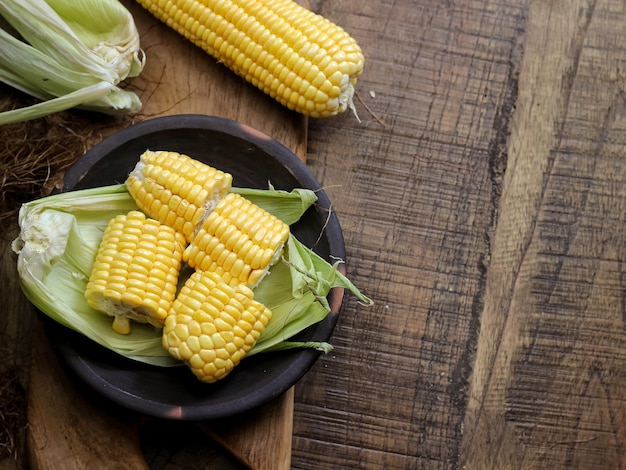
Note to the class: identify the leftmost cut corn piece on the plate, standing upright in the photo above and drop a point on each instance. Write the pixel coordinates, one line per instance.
(135, 274)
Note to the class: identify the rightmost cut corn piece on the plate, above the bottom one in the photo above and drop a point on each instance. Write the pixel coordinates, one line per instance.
(238, 240)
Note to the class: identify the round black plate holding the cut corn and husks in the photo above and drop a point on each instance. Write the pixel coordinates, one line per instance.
(254, 160)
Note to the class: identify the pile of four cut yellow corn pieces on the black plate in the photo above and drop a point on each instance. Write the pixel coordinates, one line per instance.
(188, 217)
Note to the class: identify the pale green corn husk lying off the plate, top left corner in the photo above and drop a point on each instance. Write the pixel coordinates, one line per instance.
(69, 54)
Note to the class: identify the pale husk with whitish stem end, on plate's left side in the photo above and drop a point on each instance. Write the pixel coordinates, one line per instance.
(58, 241)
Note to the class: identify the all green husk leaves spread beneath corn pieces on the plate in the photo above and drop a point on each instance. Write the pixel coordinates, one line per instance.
(60, 235)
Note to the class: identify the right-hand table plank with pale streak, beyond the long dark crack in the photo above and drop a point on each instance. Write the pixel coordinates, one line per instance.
(548, 383)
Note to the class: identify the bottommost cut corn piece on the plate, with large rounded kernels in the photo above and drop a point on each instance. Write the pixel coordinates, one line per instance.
(211, 326)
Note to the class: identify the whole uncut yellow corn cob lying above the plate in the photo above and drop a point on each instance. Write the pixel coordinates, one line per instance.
(301, 59)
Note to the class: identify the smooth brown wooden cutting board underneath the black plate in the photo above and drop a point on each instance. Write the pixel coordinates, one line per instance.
(69, 427)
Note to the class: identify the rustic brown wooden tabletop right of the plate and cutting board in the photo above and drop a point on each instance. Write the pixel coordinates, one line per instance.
(483, 202)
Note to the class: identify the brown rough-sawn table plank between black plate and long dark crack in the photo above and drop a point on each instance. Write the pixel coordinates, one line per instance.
(417, 200)
